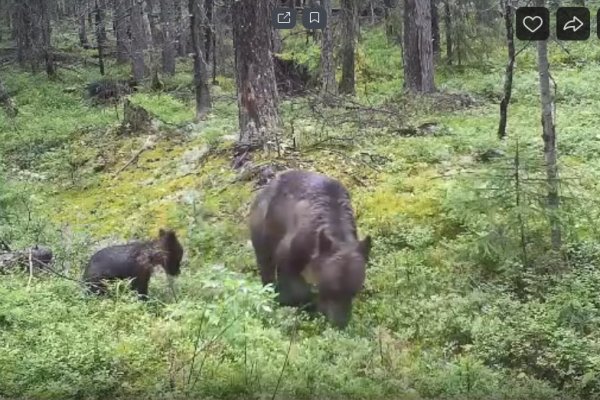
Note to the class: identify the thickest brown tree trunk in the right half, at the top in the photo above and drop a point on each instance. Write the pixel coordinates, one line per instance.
(418, 50)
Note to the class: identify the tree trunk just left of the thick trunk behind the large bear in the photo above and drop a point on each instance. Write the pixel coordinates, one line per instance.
(198, 31)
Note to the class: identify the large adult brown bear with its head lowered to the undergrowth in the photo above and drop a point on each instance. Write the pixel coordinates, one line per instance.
(303, 232)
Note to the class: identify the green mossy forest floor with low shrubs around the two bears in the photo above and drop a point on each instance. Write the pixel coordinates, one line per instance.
(463, 298)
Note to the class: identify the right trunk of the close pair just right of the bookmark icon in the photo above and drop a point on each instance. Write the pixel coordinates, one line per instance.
(350, 23)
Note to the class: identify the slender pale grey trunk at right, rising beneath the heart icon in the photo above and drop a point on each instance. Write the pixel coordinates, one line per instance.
(549, 136)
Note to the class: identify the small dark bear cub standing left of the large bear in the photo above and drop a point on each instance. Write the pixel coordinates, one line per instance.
(136, 261)
